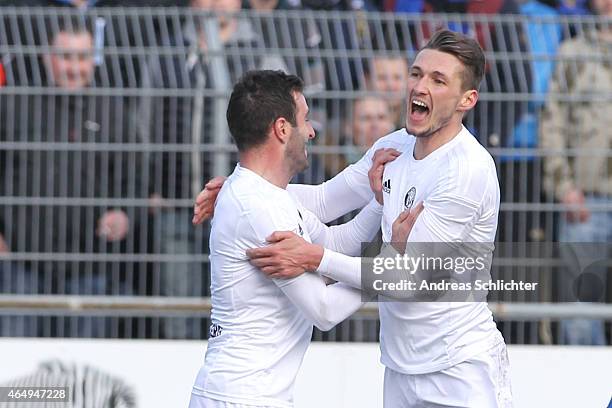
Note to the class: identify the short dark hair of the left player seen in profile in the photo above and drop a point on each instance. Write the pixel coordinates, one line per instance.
(258, 99)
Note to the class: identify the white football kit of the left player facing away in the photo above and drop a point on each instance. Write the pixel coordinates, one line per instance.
(262, 327)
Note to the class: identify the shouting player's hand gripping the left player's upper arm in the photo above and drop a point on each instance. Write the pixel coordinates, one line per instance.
(287, 256)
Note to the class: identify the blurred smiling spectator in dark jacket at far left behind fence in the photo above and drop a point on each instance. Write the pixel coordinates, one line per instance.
(70, 188)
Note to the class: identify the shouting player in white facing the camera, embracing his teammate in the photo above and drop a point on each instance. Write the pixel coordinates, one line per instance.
(439, 354)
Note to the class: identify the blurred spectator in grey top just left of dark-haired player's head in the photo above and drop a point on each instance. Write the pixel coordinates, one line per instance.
(188, 121)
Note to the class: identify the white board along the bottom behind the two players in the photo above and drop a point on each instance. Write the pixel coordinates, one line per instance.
(333, 374)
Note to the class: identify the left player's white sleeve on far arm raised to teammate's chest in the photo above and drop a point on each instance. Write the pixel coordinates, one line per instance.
(348, 237)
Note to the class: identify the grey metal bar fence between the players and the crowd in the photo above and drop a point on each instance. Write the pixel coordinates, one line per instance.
(112, 120)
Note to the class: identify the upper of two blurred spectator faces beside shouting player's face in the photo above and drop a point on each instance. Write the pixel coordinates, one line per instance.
(388, 75)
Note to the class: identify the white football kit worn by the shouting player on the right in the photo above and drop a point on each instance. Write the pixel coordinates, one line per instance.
(459, 188)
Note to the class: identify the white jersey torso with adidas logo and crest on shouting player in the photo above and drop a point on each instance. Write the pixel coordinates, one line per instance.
(458, 185)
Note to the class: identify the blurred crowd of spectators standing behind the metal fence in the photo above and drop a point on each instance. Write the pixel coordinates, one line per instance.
(132, 193)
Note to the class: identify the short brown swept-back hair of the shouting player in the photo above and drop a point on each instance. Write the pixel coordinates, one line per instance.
(466, 50)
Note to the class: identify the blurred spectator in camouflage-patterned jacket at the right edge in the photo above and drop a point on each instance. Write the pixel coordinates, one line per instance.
(577, 116)
